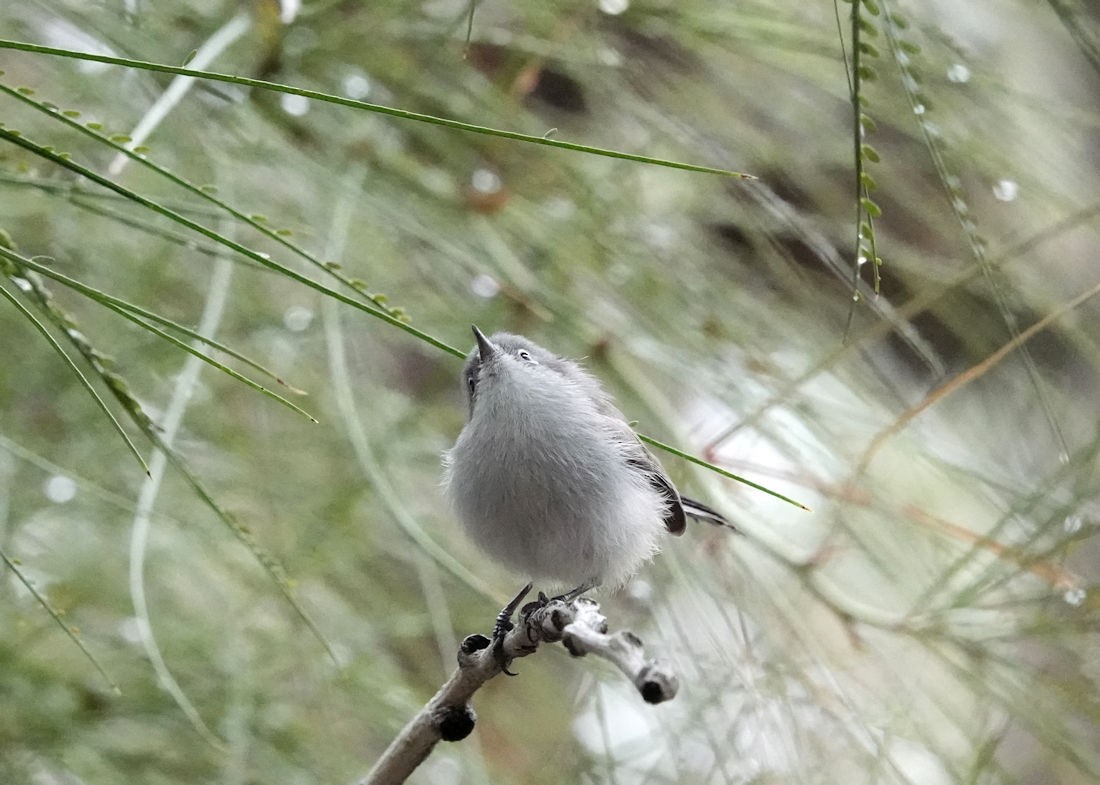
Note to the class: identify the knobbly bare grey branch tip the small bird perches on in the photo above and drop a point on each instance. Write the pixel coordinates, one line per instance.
(581, 628)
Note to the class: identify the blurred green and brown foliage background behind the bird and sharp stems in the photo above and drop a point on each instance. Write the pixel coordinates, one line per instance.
(934, 620)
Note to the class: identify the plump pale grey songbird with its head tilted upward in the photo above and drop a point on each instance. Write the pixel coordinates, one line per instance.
(548, 478)
